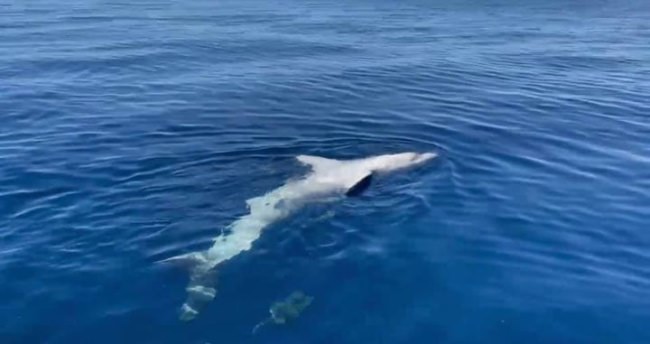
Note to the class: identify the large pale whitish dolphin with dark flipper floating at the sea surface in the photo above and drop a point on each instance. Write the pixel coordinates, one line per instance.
(327, 179)
